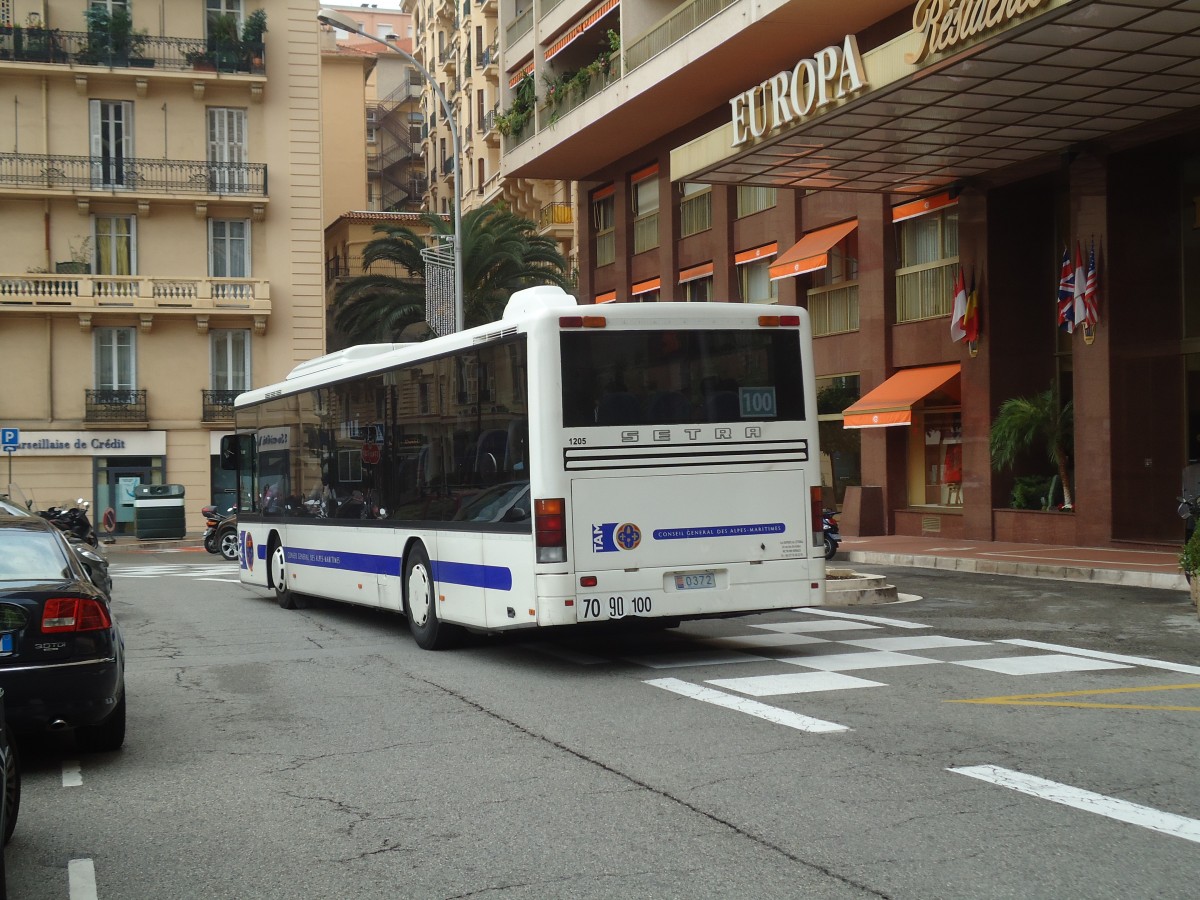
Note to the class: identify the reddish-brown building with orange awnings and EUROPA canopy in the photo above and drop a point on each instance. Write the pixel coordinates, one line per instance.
(857, 159)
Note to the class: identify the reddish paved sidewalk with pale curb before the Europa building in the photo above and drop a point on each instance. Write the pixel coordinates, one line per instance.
(1102, 566)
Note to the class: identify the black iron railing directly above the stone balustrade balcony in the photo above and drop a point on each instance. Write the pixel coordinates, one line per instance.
(75, 173)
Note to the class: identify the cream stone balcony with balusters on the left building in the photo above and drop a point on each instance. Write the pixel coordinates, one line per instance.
(86, 296)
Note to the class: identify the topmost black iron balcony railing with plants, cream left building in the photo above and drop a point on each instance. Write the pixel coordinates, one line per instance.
(83, 49)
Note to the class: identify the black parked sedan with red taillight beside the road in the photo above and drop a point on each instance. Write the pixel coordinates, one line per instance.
(62, 653)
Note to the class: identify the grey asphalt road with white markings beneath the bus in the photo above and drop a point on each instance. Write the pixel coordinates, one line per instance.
(321, 754)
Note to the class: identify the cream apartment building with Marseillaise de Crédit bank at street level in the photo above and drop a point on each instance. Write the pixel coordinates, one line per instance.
(160, 235)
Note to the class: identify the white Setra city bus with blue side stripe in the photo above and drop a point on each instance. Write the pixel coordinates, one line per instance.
(565, 465)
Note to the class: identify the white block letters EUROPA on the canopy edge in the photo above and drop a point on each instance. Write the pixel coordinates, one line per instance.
(794, 95)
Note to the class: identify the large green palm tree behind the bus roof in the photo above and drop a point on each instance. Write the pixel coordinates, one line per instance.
(502, 253)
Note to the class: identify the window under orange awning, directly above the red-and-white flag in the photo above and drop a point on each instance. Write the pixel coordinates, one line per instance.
(929, 260)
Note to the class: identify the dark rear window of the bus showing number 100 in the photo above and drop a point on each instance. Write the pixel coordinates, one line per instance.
(681, 377)
